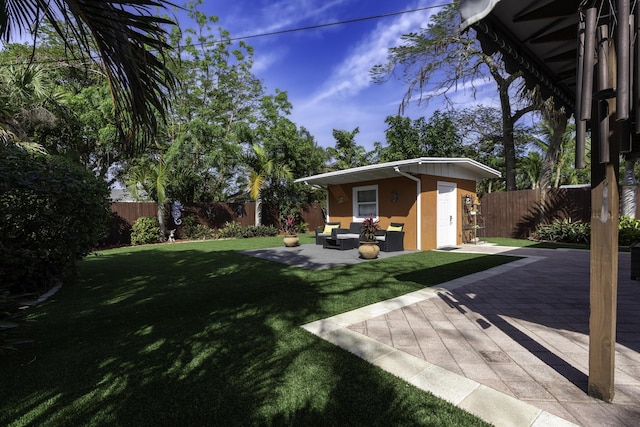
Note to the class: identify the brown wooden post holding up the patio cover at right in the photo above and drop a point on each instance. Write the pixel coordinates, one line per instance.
(604, 254)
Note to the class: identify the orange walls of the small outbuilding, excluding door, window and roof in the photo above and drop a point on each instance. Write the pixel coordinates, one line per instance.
(340, 206)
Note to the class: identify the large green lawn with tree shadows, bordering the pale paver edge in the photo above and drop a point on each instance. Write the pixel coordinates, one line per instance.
(199, 334)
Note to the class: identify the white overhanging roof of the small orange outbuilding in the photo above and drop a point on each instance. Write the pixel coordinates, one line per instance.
(461, 168)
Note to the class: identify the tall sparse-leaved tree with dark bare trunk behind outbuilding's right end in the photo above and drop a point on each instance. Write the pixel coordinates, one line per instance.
(440, 59)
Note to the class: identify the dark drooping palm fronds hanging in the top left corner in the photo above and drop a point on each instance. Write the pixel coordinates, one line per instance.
(129, 42)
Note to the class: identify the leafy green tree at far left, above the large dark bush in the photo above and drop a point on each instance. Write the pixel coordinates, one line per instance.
(76, 116)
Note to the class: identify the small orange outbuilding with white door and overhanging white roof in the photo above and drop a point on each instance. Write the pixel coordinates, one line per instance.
(426, 194)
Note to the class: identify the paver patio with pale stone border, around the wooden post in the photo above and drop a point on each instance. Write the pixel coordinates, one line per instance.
(509, 344)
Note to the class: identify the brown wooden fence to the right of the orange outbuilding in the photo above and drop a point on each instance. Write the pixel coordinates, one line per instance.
(518, 213)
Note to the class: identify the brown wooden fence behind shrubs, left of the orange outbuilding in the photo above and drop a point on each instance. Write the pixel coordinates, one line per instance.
(213, 215)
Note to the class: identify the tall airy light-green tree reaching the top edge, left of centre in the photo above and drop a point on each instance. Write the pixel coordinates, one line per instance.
(214, 112)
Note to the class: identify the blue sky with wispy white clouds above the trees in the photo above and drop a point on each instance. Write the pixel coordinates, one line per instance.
(325, 71)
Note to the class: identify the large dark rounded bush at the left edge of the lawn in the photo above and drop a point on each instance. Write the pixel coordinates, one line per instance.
(52, 213)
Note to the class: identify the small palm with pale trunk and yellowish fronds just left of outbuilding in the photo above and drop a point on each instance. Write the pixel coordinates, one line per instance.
(262, 169)
